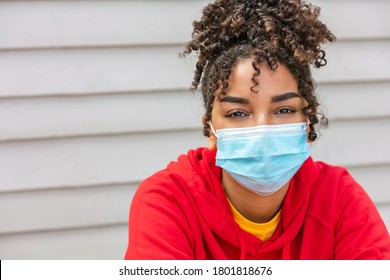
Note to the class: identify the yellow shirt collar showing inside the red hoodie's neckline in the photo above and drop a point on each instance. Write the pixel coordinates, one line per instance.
(262, 231)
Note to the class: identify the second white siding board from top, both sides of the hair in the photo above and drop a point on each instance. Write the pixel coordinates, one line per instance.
(89, 71)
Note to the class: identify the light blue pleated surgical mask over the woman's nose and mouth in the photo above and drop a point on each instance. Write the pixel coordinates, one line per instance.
(262, 158)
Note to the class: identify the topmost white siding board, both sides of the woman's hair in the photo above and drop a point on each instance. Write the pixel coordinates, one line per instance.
(43, 24)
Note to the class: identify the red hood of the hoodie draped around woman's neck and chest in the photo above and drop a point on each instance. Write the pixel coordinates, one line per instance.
(204, 184)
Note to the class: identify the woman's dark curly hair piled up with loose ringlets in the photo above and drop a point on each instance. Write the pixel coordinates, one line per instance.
(284, 31)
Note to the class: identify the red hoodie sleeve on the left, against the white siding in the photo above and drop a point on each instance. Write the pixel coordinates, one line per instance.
(158, 228)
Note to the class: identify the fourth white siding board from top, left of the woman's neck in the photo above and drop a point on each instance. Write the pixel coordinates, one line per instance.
(91, 160)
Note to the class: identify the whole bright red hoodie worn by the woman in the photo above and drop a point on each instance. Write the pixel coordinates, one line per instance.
(182, 212)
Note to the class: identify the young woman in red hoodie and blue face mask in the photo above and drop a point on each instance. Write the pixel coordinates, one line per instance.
(255, 192)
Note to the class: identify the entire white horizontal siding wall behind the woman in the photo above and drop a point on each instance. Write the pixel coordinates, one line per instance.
(93, 99)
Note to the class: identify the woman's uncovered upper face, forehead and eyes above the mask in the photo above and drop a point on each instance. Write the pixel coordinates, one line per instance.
(277, 100)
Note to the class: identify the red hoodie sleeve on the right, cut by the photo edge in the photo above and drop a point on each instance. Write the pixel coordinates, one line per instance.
(360, 232)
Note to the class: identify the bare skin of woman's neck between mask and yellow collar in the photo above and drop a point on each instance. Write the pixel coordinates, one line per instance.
(254, 207)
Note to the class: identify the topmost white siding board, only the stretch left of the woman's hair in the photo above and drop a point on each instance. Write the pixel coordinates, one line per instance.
(43, 24)
